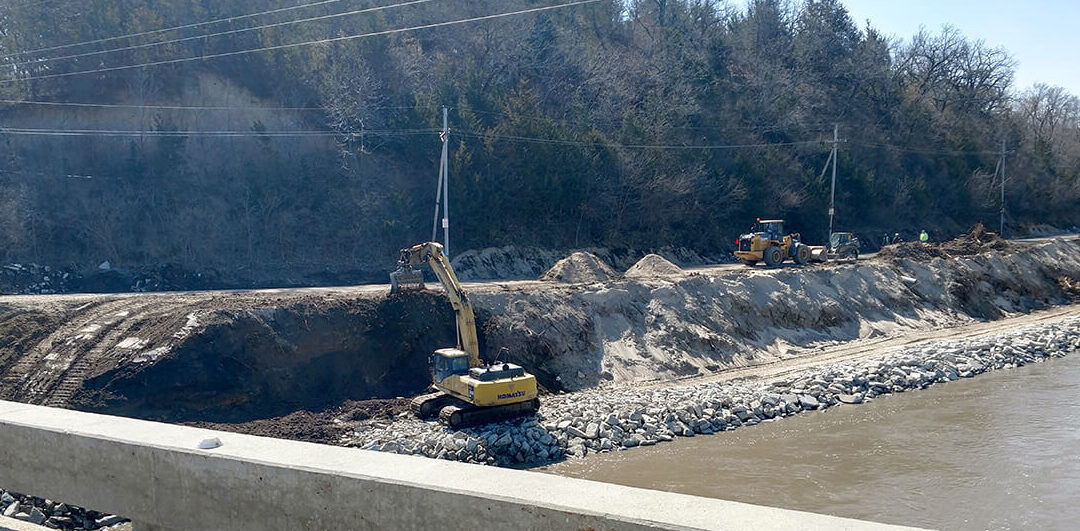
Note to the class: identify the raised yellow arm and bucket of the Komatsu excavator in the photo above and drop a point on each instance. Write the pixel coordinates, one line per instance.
(431, 254)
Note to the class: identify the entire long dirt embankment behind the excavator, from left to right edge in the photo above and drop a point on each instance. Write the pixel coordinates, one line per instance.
(244, 357)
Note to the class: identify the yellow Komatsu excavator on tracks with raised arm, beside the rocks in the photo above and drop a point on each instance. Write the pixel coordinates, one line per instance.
(468, 392)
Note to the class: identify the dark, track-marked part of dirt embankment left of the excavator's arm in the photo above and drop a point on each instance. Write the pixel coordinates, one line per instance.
(214, 357)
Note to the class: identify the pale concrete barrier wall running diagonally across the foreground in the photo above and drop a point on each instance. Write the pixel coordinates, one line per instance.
(156, 475)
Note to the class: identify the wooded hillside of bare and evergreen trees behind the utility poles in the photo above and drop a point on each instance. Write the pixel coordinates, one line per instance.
(619, 124)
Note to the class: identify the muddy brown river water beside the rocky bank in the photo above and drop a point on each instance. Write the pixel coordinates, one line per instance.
(998, 452)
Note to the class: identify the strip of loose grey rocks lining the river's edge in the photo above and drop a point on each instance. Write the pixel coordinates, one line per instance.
(601, 420)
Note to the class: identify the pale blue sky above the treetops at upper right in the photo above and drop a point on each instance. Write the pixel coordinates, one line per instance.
(1043, 36)
